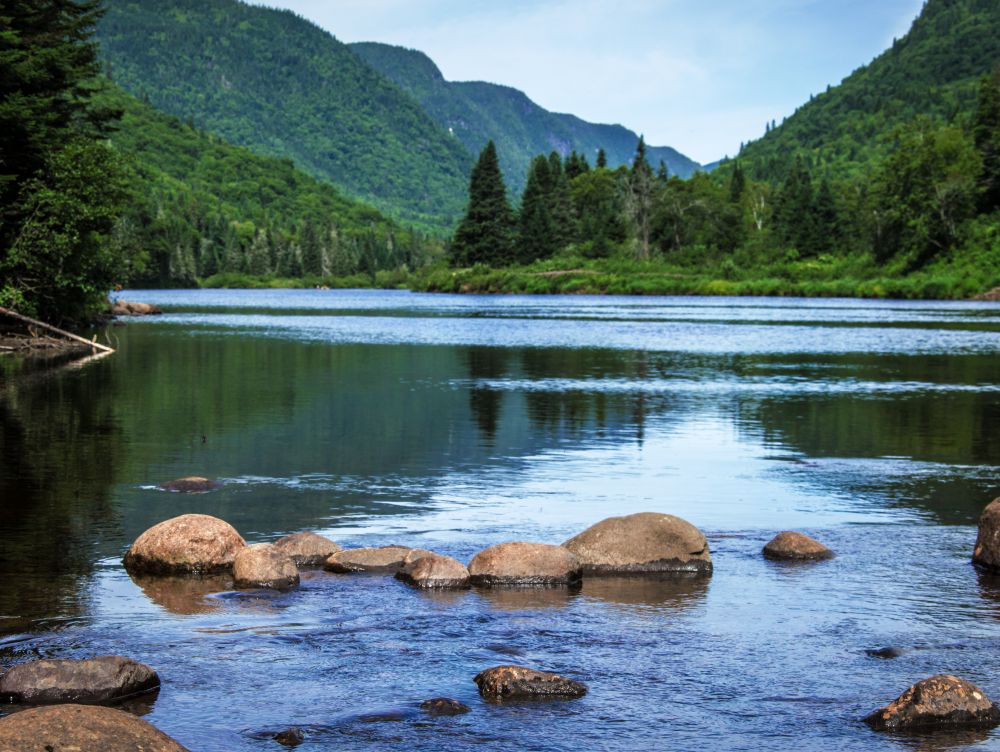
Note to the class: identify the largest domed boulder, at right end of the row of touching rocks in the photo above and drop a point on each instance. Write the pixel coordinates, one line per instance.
(644, 543)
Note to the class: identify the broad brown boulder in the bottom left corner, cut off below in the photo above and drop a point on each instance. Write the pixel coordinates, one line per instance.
(81, 728)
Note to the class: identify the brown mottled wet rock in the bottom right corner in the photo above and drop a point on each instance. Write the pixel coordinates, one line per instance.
(942, 700)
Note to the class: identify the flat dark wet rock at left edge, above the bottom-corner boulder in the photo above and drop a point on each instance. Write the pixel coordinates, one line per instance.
(94, 681)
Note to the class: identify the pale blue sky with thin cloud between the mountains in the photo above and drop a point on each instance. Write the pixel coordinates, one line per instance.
(702, 76)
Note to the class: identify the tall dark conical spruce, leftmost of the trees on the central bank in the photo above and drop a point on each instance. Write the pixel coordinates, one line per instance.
(486, 234)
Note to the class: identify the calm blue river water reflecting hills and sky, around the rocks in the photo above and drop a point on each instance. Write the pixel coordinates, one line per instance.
(457, 422)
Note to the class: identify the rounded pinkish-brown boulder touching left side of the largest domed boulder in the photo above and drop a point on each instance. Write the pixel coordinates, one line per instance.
(519, 564)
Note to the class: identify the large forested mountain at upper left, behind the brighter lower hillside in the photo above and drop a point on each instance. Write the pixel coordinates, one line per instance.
(273, 82)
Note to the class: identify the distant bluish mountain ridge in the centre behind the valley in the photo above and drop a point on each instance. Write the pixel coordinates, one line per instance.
(476, 112)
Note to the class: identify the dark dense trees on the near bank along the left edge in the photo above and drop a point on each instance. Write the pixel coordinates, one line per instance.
(61, 187)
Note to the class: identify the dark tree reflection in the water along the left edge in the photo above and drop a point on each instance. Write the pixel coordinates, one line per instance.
(60, 449)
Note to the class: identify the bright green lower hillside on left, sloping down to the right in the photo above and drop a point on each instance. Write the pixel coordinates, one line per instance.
(202, 207)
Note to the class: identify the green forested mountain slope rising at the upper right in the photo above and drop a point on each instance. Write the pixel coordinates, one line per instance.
(933, 71)
